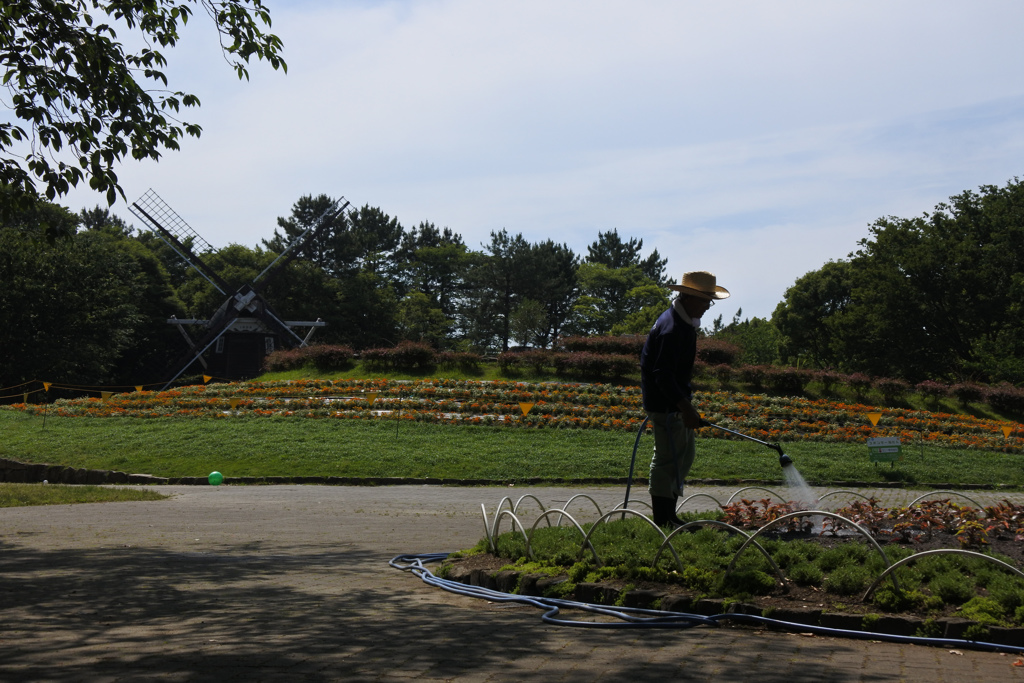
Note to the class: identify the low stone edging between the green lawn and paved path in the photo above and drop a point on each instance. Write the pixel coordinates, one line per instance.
(18, 473)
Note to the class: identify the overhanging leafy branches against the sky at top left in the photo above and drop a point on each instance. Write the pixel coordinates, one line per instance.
(79, 103)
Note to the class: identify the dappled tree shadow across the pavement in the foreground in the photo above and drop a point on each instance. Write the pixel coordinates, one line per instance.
(310, 615)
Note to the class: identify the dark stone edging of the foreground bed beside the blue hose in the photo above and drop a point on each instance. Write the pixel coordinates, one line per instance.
(538, 585)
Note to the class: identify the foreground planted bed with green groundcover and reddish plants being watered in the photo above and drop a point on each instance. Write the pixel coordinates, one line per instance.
(818, 568)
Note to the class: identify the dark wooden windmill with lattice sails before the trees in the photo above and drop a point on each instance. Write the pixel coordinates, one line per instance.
(245, 329)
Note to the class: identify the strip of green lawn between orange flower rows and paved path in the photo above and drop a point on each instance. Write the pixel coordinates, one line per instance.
(297, 447)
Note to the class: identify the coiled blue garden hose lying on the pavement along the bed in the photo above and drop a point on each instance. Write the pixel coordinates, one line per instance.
(637, 618)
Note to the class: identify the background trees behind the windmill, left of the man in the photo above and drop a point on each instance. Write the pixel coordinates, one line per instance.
(87, 296)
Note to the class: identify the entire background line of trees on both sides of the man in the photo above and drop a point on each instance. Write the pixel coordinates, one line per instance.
(87, 296)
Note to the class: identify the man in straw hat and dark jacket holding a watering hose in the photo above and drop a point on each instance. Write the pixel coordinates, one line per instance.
(666, 371)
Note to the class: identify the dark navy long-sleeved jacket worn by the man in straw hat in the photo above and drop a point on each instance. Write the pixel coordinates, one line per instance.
(667, 363)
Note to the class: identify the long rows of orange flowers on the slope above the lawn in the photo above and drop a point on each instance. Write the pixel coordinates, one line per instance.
(552, 406)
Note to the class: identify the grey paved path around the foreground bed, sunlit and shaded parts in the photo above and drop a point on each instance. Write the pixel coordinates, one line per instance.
(292, 584)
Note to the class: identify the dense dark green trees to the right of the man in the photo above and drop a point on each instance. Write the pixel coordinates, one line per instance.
(938, 296)
